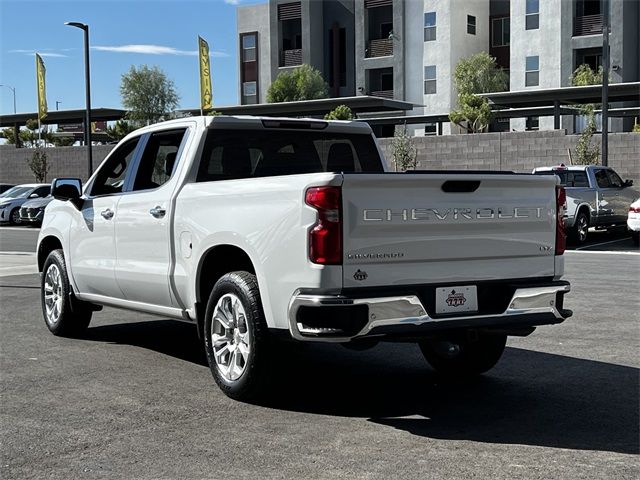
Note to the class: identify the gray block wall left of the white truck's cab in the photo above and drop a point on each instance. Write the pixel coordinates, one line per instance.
(63, 162)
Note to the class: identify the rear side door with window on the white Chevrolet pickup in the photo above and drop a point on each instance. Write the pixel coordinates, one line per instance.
(143, 231)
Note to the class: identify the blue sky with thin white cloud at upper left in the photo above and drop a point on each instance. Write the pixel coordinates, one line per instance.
(122, 33)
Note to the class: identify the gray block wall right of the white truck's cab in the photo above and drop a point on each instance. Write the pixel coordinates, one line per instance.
(517, 151)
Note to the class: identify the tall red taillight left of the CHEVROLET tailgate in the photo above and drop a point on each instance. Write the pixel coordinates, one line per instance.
(325, 236)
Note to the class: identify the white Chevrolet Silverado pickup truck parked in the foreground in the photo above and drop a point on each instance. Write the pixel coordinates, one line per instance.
(255, 229)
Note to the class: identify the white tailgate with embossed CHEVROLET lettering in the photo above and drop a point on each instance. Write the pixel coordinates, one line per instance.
(406, 229)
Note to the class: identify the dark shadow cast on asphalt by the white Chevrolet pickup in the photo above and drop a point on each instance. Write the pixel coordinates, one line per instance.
(529, 398)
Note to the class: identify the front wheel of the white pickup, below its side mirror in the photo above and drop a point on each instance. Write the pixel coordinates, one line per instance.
(61, 319)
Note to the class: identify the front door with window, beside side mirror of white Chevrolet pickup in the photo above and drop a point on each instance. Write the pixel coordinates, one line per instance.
(92, 249)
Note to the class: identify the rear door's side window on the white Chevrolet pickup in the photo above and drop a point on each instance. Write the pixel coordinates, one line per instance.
(158, 161)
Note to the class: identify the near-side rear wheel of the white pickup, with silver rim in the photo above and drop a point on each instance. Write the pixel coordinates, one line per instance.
(236, 336)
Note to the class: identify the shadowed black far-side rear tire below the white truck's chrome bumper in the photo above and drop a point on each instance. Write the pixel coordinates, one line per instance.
(464, 357)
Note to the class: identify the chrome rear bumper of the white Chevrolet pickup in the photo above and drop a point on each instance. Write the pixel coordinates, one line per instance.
(408, 310)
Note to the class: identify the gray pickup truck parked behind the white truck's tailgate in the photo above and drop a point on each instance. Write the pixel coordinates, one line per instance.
(596, 197)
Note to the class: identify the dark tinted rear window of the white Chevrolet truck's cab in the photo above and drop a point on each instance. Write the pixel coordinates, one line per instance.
(233, 154)
